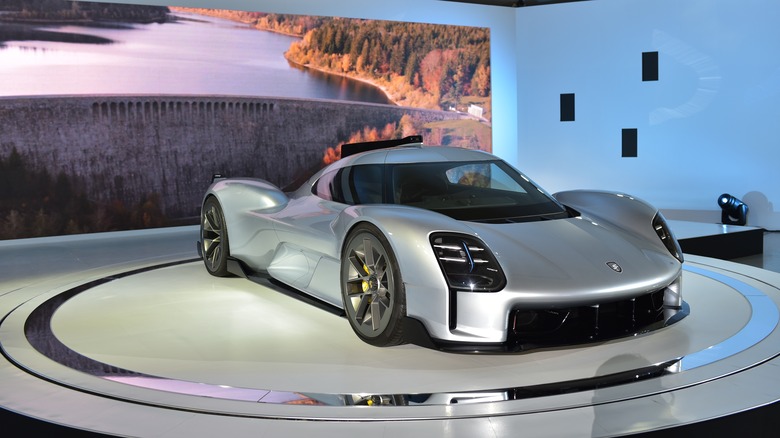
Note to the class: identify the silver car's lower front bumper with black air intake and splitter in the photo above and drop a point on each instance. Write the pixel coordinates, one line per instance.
(513, 327)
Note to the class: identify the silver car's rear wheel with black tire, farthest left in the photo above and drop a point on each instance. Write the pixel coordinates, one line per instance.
(213, 238)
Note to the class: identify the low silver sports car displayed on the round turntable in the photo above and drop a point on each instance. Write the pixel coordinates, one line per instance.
(450, 248)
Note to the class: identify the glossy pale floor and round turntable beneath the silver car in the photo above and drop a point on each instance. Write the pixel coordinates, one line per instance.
(148, 344)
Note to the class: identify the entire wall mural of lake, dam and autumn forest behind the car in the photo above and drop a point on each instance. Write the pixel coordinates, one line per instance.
(115, 117)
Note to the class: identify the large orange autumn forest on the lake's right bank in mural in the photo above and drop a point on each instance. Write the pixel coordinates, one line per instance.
(421, 65)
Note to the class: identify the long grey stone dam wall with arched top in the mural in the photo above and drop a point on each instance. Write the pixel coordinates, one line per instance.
(129, 146)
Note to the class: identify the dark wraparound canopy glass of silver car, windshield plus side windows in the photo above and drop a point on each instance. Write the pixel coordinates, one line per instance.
(489, 191)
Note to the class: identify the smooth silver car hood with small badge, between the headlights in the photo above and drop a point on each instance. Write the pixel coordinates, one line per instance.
(577, 259)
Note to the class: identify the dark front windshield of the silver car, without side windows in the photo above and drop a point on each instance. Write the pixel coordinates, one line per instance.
(489, 191)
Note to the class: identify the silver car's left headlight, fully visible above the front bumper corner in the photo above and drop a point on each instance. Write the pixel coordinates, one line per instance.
(467, 263)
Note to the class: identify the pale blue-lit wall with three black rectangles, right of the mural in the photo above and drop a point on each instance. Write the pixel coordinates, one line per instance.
(707, 126)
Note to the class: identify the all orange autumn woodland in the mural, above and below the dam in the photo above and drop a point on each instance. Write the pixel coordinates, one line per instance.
(419, 65)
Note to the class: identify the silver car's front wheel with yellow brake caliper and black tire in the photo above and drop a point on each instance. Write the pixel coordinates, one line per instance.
(371, 287)
